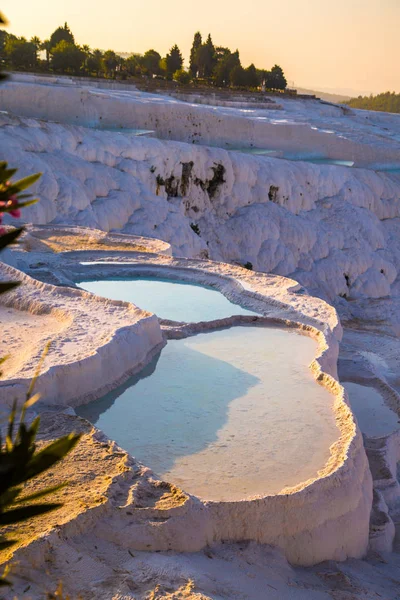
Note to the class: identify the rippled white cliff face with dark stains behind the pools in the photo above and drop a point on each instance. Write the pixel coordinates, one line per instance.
(334, 229)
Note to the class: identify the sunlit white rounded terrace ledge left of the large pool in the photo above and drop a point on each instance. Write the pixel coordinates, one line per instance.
(97, 343)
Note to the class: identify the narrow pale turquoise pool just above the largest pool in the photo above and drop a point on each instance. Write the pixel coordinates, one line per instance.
(168, 299)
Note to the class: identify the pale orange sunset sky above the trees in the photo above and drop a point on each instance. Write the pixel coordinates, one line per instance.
(338, 45)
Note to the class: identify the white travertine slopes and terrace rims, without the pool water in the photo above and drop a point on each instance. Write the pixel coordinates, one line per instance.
(324, 253)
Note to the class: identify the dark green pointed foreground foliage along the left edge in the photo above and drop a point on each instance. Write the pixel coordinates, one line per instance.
(20, 460)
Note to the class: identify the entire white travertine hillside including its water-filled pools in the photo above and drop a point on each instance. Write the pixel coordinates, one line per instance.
(283, 223)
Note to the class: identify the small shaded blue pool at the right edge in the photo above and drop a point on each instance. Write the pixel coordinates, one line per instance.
(374, 417)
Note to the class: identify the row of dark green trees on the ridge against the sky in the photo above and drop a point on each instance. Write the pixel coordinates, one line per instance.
(208, 65)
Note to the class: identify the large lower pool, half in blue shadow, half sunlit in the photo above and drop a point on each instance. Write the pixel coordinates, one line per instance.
(225, 415)
